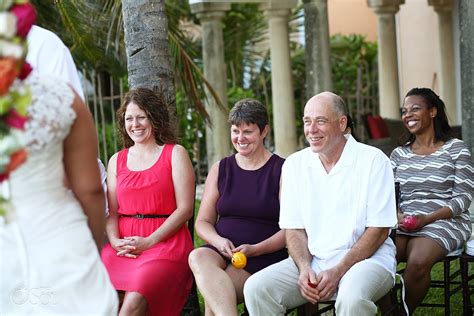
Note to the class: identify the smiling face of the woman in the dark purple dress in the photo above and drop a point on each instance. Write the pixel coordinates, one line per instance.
(247, 138)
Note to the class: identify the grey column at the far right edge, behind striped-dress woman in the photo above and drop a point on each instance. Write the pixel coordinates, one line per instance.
(466, 27)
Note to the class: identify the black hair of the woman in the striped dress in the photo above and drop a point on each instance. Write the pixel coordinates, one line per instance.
(442, 129)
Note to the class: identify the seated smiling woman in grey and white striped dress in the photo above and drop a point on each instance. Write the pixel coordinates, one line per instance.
(436, 181)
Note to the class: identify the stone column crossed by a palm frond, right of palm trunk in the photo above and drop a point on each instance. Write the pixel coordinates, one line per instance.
(217, 132)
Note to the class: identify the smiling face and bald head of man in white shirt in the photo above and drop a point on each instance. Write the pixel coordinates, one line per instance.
(323, 127)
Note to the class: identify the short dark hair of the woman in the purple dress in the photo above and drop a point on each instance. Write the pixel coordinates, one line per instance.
(249, 111)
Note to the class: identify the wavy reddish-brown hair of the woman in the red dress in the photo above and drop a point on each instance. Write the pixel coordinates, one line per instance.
(156, 110)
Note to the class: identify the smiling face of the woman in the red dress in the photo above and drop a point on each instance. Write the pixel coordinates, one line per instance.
(137, 124)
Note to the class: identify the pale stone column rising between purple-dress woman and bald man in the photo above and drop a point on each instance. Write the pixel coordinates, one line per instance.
(284, 125)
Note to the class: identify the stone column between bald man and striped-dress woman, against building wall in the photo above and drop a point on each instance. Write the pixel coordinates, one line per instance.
(389, 87)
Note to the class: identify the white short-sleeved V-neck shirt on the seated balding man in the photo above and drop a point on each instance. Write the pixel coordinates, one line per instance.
(335, 208)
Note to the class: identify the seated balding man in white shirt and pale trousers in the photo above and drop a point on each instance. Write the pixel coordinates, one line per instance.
(337, 207)
